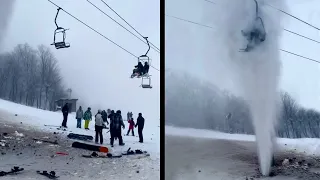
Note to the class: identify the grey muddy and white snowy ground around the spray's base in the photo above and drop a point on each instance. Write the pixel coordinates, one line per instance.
(204, 154)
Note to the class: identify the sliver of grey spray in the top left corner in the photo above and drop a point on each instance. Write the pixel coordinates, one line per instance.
(6, 8)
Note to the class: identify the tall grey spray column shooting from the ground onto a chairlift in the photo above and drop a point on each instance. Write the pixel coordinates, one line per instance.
(256, 72)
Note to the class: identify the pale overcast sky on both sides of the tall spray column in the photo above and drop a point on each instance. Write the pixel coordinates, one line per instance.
(300, 77)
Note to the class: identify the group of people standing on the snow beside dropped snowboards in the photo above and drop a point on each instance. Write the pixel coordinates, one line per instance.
(101, 119)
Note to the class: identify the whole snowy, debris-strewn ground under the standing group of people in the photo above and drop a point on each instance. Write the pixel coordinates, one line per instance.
(25, 152)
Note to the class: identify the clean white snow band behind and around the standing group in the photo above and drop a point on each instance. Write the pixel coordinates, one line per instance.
(36, 118)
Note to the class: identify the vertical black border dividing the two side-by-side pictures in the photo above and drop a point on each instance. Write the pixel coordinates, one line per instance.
(162, 89)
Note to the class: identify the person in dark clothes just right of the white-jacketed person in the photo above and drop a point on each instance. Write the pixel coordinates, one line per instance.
(115, 128)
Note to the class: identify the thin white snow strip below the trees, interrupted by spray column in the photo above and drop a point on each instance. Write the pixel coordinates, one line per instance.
(308, 146)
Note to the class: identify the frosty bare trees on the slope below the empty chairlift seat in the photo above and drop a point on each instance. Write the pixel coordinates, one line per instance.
(31, 76)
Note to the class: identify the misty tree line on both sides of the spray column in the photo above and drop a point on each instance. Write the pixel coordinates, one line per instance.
(196, 104)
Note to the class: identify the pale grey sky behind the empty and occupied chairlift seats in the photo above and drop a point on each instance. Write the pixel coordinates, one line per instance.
(96, 70)
